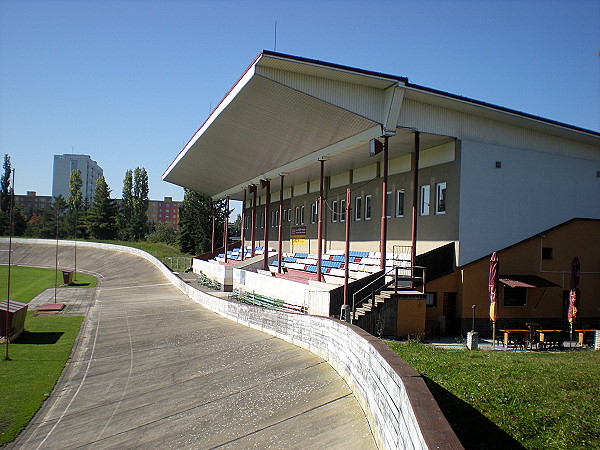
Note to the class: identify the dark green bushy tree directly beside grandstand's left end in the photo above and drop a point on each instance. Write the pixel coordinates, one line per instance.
(195, 222)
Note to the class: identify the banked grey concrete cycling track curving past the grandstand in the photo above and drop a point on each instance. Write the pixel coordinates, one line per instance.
(153, 369)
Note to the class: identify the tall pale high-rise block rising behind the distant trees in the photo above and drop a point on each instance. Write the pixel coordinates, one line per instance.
(65, 164)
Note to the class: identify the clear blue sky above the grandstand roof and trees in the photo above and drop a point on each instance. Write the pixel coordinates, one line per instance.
(128, 82)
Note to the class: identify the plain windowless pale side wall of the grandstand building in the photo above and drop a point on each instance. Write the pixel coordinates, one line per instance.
(530, 193)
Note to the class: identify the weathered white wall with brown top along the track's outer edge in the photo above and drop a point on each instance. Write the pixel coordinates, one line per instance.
(396, 401)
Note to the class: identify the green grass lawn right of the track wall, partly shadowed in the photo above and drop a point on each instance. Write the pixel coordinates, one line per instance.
(512, 399)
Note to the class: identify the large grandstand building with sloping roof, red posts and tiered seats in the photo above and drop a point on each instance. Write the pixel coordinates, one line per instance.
(434, 179)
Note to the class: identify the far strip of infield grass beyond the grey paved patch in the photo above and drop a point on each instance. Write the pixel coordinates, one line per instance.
(28, 282)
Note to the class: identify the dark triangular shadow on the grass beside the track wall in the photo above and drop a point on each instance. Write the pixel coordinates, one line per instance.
(473, 429)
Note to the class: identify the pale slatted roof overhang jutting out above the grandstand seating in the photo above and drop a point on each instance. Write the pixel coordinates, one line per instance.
(283, 115)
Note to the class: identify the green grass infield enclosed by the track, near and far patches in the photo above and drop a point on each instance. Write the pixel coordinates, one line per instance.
(38, 357)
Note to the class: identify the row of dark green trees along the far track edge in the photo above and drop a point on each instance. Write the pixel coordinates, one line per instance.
(106, 218)
